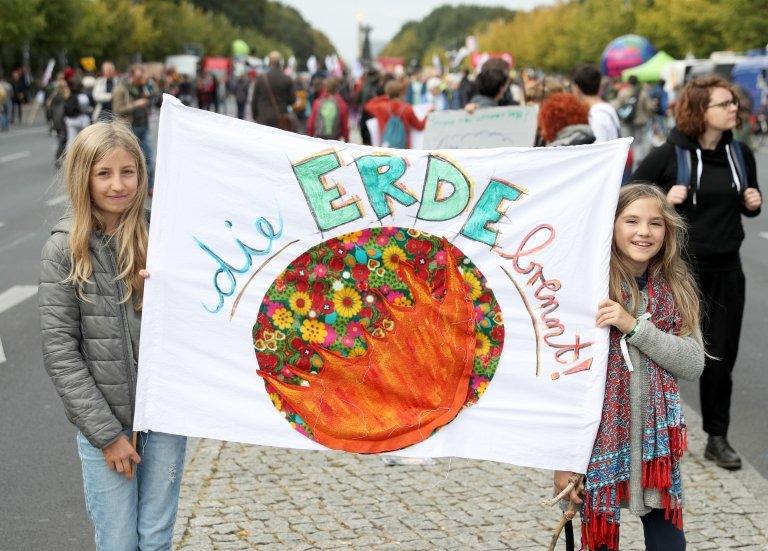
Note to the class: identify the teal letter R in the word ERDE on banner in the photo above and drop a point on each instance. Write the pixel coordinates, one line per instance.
(379, 174)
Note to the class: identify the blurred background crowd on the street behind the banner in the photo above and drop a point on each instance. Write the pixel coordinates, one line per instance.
(578, 108)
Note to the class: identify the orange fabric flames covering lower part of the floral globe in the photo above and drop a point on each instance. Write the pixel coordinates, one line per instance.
(411, 378)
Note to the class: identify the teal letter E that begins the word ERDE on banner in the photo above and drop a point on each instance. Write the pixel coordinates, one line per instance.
(310, 174)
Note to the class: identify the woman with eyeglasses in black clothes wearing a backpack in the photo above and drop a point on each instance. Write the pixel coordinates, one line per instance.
(712, 181)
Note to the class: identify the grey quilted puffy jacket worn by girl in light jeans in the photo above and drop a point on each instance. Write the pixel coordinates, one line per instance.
(86, 345)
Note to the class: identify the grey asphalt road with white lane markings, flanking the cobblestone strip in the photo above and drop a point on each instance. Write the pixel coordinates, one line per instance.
(42, 506)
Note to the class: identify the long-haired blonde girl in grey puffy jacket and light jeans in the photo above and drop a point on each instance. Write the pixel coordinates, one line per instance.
(90, 294)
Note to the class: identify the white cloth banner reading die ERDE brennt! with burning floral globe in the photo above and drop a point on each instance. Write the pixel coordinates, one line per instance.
(315, 294)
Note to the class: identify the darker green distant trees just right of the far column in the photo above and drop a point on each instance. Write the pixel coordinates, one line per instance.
(445, 28)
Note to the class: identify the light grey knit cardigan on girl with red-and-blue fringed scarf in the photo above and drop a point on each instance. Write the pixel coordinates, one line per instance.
(683, 357)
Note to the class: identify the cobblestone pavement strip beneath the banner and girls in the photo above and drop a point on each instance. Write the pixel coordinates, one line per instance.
(237, 496)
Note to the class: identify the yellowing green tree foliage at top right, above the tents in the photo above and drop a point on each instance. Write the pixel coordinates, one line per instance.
(556, 37)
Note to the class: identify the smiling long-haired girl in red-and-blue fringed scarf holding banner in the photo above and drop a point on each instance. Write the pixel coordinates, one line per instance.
(653, 315)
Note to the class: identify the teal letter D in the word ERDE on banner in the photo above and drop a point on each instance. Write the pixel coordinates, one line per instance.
(440, 172)
